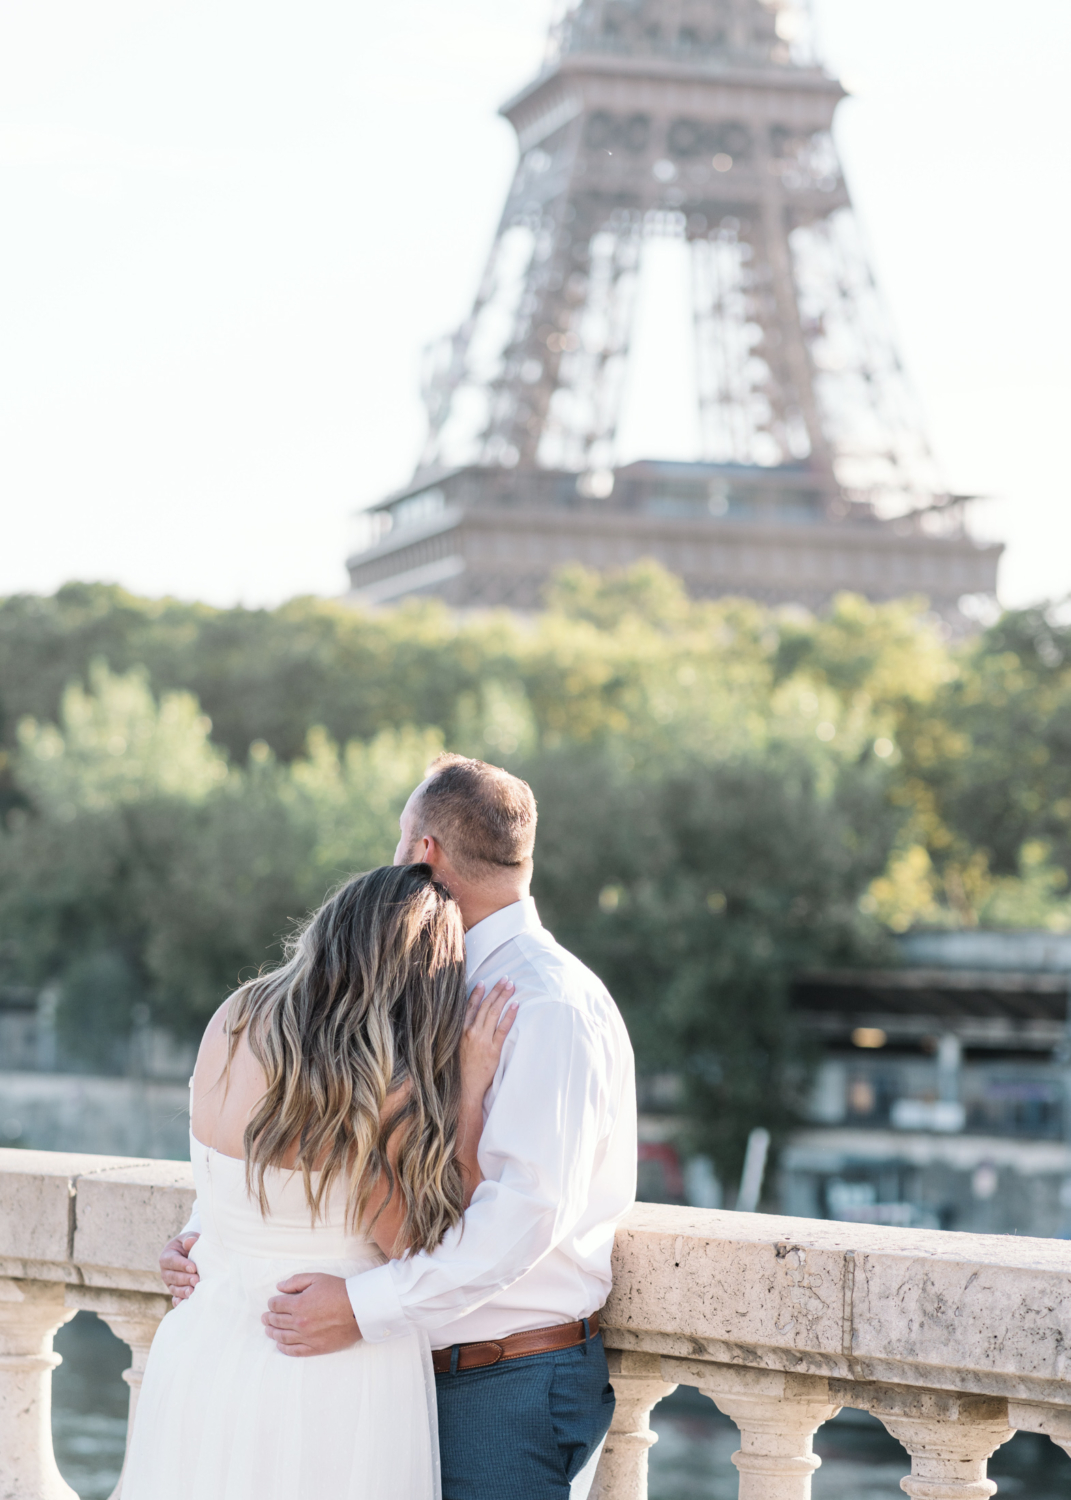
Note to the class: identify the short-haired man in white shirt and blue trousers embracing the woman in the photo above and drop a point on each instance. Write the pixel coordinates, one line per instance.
(511, 1297)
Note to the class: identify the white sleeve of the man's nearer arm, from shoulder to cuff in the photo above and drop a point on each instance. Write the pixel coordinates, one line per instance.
(538, 1156)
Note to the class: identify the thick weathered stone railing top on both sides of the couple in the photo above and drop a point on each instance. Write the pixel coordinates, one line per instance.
(973, 1313)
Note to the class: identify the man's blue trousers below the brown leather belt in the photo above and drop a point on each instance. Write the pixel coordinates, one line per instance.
(524, 1429)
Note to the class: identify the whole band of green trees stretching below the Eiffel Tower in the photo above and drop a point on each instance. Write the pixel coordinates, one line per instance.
(728, 794)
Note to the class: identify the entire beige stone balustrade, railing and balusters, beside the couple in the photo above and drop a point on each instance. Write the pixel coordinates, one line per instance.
(955, 1342)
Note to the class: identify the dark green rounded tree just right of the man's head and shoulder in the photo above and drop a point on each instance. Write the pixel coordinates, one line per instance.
(698, 896)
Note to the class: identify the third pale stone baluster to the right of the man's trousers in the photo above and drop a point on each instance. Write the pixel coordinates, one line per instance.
(950, 1439)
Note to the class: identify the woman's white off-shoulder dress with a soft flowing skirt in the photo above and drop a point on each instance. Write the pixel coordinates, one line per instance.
(226, 1417)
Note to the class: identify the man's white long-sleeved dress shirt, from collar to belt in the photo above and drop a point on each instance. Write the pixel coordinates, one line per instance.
(559, 1159)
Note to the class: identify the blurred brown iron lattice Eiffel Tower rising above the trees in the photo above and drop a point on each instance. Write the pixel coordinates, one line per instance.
(707, 122)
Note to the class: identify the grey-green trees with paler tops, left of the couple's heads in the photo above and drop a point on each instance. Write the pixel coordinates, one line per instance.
(148, 860)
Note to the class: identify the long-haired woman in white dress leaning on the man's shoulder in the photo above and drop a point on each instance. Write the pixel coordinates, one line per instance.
(335, 1115)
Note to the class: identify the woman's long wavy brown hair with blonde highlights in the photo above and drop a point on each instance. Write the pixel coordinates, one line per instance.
(370, 1000)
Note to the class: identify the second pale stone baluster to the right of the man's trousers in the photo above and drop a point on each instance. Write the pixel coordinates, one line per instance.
(778, 1417)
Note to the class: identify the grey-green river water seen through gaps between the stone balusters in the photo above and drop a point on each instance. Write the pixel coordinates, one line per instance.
(691, 1460)
